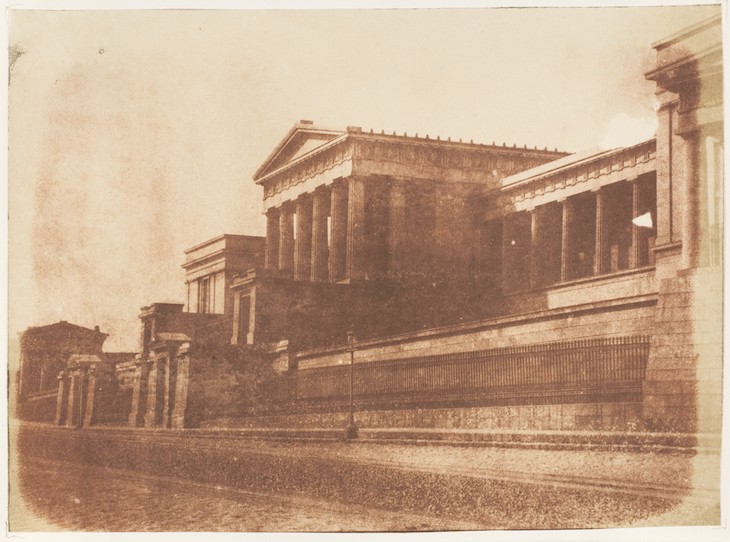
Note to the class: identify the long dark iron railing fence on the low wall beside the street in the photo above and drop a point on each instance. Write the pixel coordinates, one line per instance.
(605, 369)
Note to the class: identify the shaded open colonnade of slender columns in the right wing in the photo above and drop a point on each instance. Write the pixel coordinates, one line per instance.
(584, 235)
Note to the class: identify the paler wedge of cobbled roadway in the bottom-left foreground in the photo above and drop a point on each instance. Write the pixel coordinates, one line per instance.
(63, 496)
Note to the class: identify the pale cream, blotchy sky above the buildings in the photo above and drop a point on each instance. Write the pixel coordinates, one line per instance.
(134, 135)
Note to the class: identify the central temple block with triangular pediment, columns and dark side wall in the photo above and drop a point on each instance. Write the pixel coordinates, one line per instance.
(349, 206)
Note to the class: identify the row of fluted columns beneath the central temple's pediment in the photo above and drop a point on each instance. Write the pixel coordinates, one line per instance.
(322, 236)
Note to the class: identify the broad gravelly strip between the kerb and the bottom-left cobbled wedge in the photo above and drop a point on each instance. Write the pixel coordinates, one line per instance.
(451, 486)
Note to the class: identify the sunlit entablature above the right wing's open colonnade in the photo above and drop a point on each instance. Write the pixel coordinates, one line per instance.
(567, 177)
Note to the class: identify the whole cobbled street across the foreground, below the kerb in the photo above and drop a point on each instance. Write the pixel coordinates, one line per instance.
(140, 481)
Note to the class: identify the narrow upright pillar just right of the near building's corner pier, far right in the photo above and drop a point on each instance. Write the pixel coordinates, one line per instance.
(690, 207)
